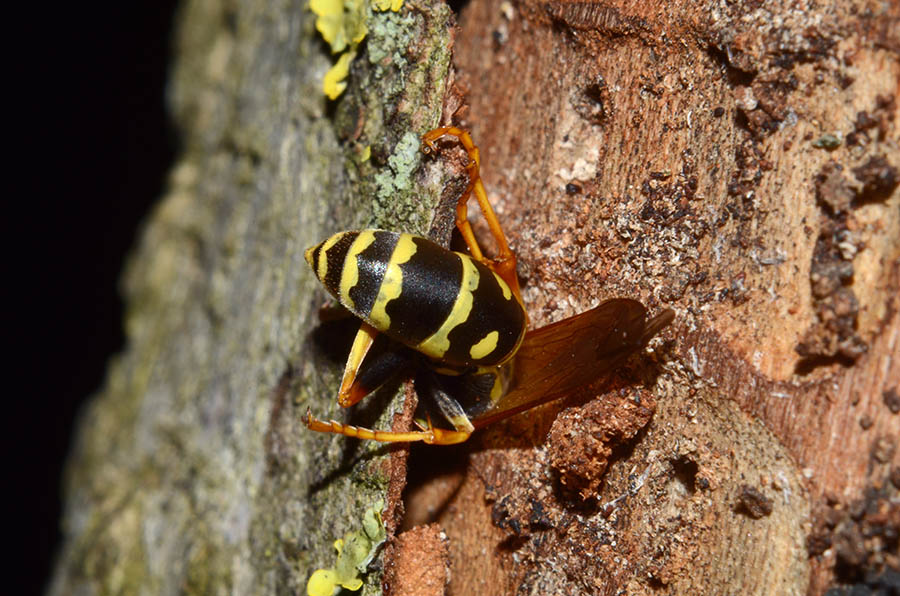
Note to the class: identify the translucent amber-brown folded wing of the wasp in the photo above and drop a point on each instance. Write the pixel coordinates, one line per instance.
(560, 358)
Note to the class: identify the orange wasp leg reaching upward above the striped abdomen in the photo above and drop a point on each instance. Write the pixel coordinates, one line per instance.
(505, 262)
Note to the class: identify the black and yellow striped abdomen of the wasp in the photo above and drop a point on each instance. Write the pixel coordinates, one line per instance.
(440, 303)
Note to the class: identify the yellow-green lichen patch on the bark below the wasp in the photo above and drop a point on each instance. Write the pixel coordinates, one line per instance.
(354, 553)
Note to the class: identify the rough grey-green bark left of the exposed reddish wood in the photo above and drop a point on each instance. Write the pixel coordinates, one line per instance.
(192, 471)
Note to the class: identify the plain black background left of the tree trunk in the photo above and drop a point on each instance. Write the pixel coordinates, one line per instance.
(92, 146)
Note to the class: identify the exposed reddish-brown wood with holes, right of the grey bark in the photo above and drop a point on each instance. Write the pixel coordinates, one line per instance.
(680, 154)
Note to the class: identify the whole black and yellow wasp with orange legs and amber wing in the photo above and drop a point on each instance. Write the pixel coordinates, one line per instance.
(458, 320)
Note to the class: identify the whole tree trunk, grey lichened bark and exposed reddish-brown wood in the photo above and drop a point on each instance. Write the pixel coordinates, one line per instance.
(738, 164)
